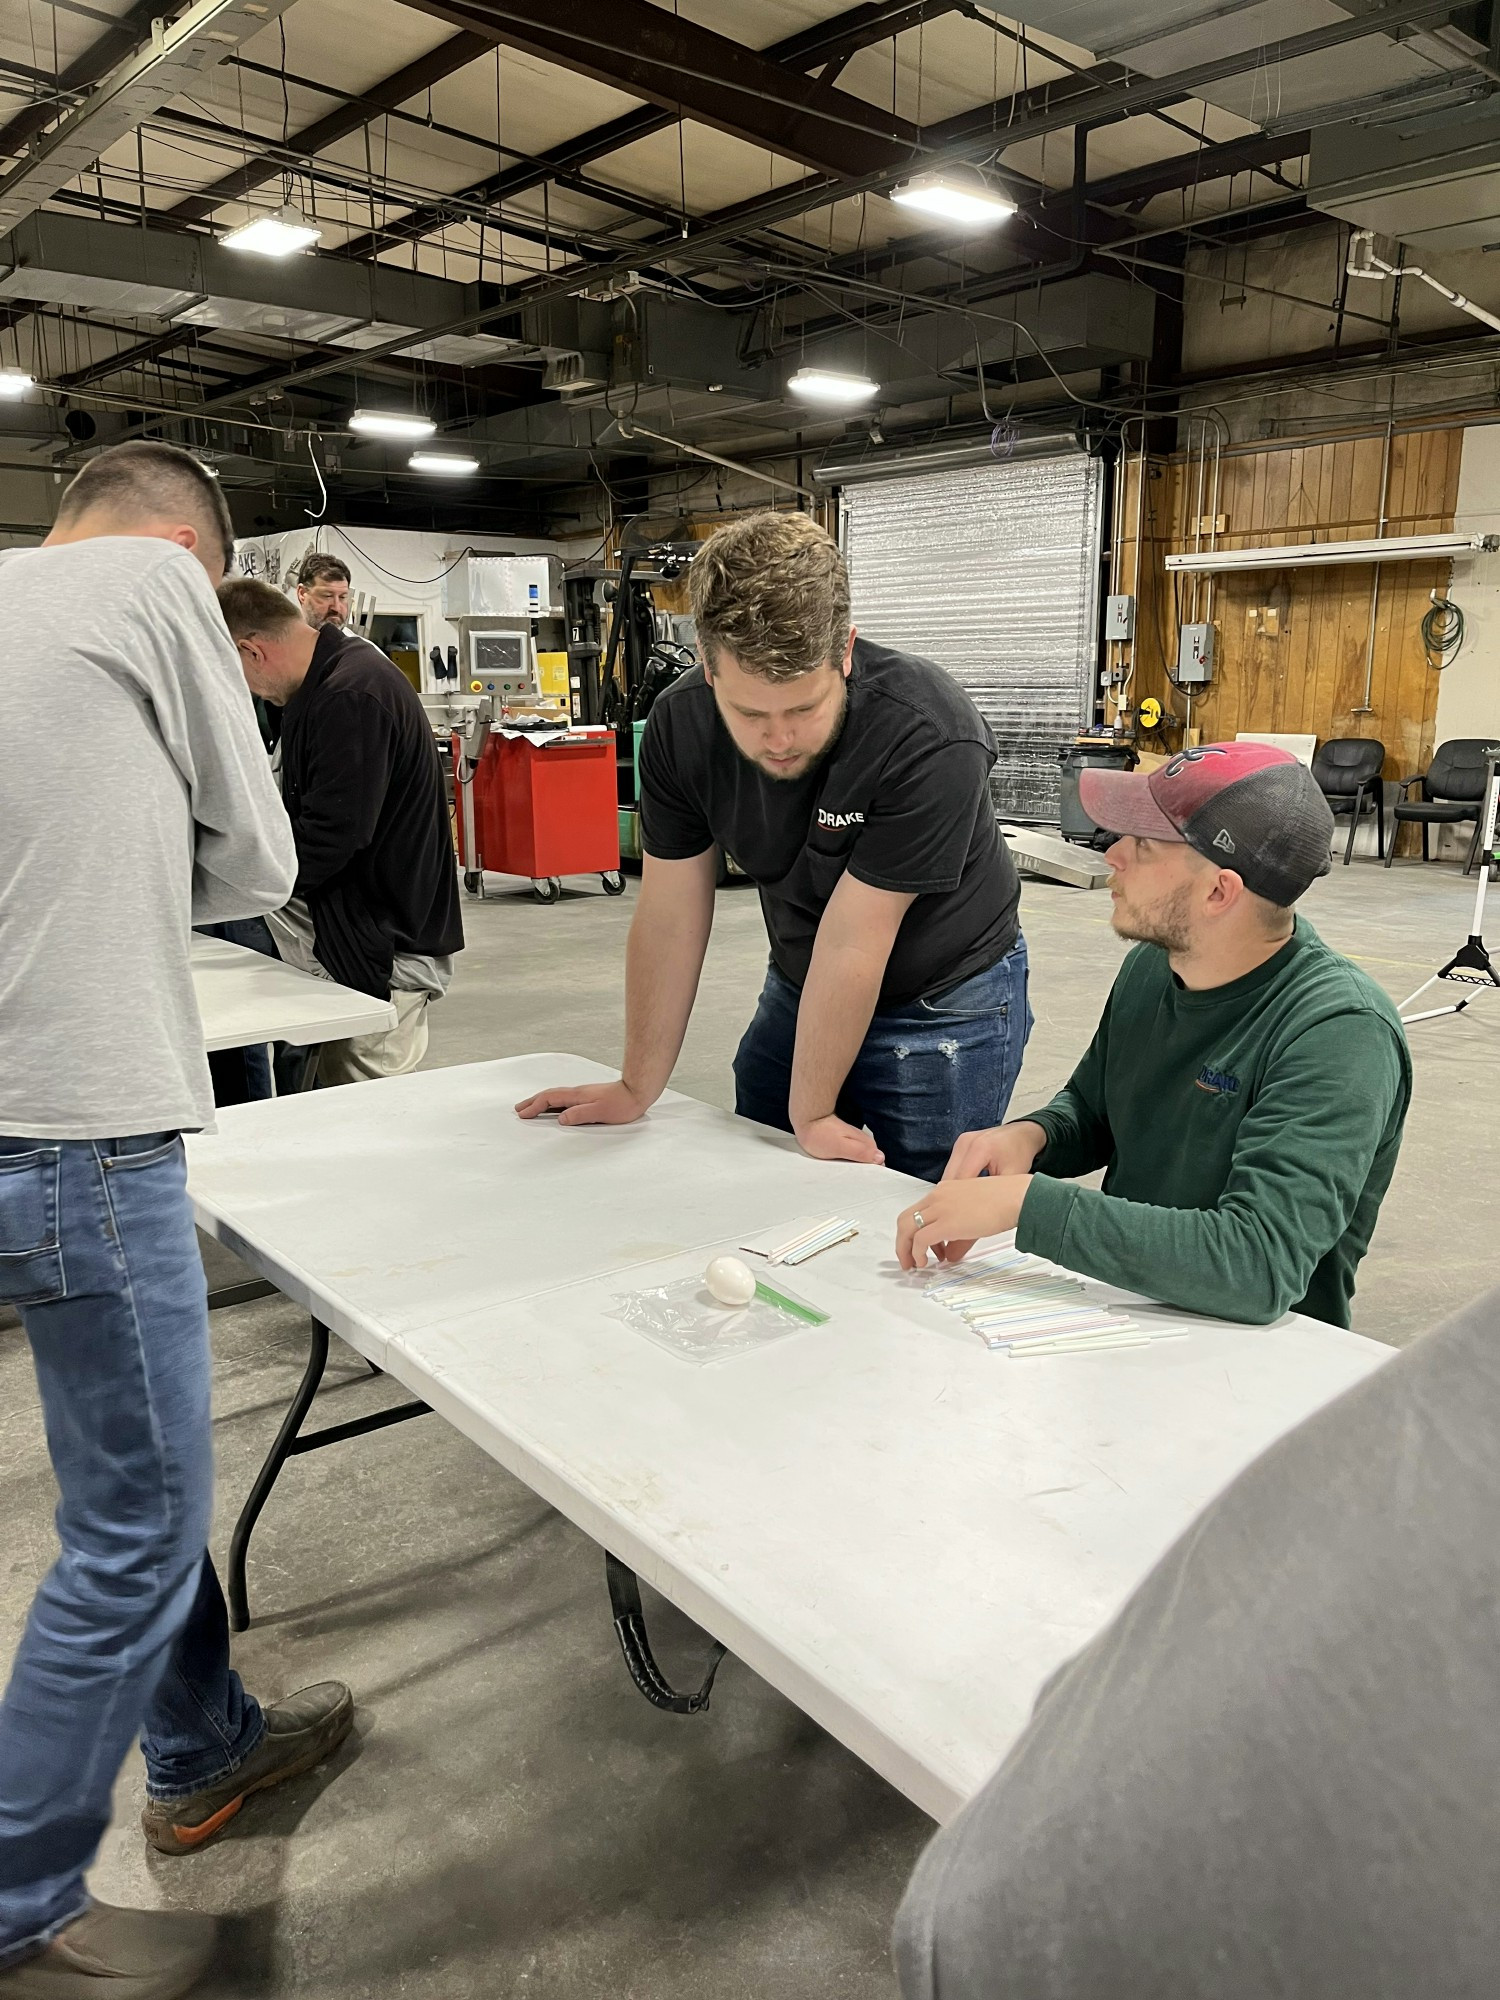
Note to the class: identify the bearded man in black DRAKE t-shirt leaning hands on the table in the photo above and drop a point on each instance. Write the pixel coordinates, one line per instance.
(851, 785)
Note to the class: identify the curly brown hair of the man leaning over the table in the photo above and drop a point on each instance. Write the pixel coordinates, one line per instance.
(771, 591)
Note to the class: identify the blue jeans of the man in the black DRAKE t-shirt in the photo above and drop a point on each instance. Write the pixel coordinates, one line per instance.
(925, 1075)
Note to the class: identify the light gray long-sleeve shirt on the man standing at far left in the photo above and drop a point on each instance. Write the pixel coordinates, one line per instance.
(137, 801)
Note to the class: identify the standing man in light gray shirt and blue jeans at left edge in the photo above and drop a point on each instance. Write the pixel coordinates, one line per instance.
(137, 801)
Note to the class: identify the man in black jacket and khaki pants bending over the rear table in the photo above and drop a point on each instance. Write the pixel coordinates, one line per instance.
(377, 889)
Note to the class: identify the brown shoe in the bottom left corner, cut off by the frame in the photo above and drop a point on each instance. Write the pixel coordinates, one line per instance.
(117, 1955)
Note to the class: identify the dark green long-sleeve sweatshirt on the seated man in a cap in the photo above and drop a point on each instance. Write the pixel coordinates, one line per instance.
(1249, 1137)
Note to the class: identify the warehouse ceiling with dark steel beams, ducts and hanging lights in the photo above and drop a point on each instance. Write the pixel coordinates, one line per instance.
(607, 241)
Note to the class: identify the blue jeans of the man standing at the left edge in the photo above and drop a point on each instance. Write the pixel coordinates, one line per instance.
(129, 1627)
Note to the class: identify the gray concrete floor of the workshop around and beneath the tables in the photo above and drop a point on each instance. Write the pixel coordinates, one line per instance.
(513, 1819)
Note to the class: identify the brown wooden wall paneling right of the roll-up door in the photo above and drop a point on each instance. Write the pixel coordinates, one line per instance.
(1293, 645)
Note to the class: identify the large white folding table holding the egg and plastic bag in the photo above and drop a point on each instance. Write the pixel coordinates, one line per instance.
(899, 1529)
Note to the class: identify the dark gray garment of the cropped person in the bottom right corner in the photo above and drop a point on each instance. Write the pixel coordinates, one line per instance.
(1277, 1775)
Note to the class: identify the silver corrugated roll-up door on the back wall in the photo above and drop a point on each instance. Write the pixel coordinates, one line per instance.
(993, 573)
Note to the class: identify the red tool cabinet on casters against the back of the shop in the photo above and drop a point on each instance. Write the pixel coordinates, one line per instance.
(543, 813)
